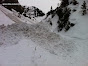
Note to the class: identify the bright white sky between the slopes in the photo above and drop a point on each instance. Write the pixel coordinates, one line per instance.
(44, 5)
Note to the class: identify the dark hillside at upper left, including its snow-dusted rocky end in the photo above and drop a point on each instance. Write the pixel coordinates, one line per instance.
(30, 12)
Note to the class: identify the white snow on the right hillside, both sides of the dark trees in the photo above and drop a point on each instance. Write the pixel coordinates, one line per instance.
(80, 30)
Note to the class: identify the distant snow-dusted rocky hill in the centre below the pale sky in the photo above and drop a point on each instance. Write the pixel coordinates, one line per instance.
(32, 12)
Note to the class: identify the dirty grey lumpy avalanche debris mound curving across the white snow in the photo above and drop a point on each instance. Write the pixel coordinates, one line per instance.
(52, 42)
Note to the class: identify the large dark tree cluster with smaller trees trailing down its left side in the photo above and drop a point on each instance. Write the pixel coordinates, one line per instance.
(63, 13)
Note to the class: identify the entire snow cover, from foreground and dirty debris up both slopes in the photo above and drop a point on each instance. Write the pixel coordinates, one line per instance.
(35, 44)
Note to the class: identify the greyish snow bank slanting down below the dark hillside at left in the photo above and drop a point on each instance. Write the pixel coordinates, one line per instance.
(14, 16)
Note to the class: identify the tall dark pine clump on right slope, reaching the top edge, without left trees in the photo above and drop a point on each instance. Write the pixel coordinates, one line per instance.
(63, 13)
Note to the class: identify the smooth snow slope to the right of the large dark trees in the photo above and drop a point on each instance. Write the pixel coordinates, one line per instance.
(80, 29)
